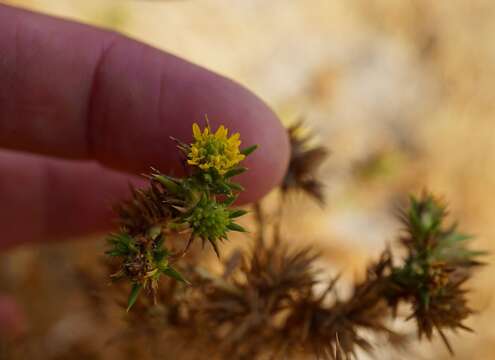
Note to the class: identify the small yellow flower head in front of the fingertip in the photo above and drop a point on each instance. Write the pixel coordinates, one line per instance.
(214, 150)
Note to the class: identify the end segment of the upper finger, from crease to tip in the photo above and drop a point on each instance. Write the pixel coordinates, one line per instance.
(140, 102)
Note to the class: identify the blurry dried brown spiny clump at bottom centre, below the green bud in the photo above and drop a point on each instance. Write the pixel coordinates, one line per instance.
(244, 310)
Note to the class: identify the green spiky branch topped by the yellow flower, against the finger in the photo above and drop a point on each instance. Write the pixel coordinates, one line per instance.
(176, 206)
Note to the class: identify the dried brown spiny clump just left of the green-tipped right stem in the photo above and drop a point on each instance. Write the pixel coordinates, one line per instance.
(332, 328)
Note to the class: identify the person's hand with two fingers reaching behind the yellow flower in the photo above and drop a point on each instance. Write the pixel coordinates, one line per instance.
(82, 111)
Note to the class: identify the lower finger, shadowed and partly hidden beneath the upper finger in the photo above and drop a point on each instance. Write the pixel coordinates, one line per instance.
(47, 199)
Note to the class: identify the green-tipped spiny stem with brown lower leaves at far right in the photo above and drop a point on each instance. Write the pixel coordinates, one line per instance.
(437, 264)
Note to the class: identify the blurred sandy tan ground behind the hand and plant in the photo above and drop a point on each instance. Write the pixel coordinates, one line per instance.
(402, 92)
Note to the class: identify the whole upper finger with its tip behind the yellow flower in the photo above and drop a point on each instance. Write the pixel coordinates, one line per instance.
(78, 92)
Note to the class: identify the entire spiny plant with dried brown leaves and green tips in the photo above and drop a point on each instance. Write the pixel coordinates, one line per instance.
(266, 303)
